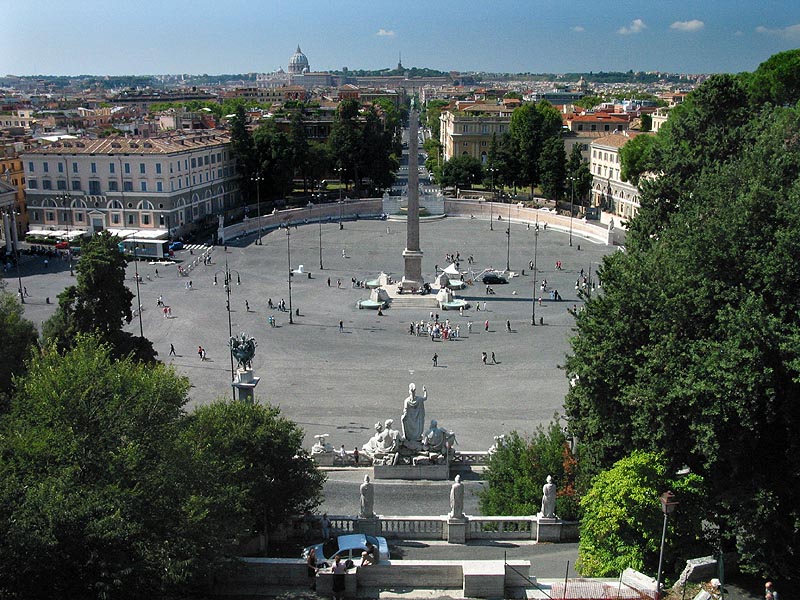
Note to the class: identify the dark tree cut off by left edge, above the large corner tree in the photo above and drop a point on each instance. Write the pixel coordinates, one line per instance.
(19, 338)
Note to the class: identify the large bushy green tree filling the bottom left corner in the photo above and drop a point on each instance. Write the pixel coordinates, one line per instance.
(89, 500)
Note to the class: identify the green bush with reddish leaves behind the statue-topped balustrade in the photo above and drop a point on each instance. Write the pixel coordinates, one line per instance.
(518, 469)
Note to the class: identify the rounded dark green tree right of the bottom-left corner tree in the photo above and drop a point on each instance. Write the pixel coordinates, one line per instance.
(253, 459)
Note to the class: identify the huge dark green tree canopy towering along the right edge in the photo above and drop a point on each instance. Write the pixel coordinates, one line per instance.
(693, 348)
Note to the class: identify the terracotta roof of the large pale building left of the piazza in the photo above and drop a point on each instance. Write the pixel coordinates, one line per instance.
(121, 145)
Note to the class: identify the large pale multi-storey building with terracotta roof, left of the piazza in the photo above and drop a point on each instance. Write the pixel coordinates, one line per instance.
(172, 183)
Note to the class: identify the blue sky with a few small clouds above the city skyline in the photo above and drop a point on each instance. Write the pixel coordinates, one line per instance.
(148, 37)
